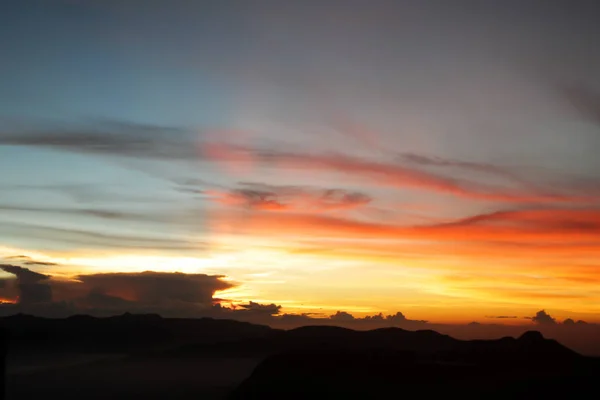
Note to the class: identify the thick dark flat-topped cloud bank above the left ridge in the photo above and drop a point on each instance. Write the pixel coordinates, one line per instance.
(170, 294)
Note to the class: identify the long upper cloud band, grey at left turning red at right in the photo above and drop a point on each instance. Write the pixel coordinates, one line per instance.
(141, 141)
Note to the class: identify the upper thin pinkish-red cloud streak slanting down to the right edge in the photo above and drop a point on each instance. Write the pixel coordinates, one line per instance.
(379, 173)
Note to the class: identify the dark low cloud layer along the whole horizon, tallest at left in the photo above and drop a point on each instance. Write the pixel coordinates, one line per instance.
(192, 296)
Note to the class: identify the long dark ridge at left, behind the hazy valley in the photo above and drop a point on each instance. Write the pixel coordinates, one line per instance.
(127, 332)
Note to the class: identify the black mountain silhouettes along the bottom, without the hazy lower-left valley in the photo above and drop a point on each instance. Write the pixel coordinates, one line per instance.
(328, 361)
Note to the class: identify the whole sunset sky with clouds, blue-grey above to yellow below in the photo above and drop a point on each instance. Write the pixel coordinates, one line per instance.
(434, 158)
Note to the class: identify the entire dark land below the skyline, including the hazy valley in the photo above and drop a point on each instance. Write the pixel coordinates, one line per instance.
(153, 358)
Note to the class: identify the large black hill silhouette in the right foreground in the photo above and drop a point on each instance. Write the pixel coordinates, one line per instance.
(333, 363)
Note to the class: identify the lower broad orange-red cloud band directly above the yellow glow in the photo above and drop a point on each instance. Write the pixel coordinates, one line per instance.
(524, 226)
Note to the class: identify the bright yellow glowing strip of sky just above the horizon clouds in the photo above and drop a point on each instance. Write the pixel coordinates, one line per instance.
(316, 283)
